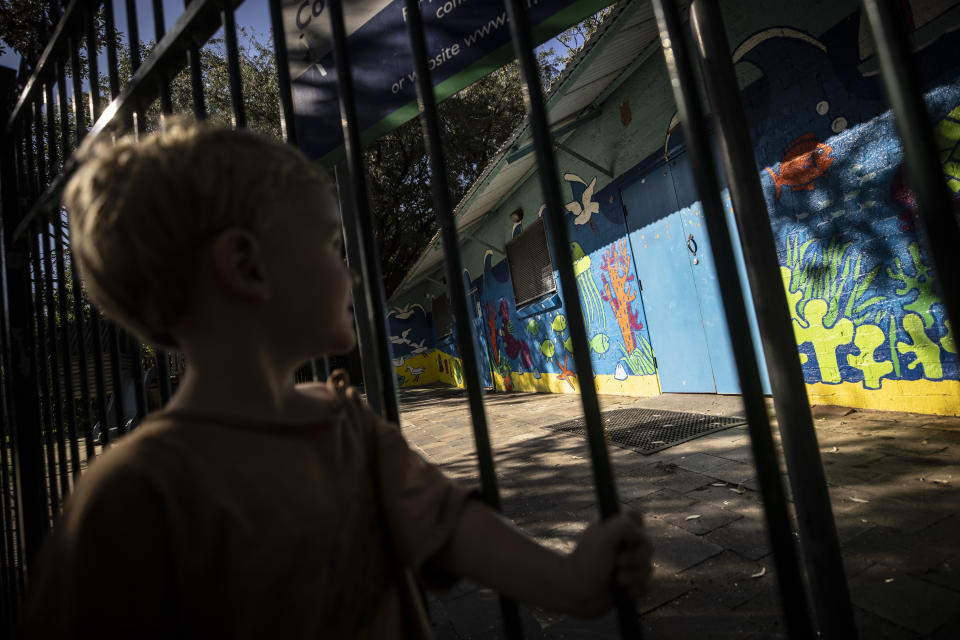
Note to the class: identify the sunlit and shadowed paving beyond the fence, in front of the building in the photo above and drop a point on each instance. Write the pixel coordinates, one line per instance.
(893, 480)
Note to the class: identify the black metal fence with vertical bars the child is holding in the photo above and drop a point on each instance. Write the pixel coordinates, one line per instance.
(62, 399)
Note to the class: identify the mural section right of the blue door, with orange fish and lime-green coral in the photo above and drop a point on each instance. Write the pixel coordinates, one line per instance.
(870, 328)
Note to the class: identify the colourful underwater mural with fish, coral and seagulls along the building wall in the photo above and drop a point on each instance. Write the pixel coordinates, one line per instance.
(869, 325)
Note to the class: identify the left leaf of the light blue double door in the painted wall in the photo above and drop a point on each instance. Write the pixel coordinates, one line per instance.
(669, 293)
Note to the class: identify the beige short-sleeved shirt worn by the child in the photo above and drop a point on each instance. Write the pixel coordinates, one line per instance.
(197, 527)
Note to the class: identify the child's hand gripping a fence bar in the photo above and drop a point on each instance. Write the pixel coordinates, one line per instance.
(615, 551)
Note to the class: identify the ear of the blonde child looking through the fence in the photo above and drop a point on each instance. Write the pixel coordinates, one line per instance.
(238, 264)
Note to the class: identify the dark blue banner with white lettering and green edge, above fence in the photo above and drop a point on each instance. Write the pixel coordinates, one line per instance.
(466, 39)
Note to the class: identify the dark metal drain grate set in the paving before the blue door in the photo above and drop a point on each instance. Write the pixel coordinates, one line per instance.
(651, 430)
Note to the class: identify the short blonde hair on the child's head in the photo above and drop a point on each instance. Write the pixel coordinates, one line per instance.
(140, 213)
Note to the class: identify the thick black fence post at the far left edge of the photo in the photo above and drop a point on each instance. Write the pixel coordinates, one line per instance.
(21, 376)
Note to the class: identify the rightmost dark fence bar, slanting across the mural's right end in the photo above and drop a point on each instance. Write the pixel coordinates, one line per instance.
(901, 81)
